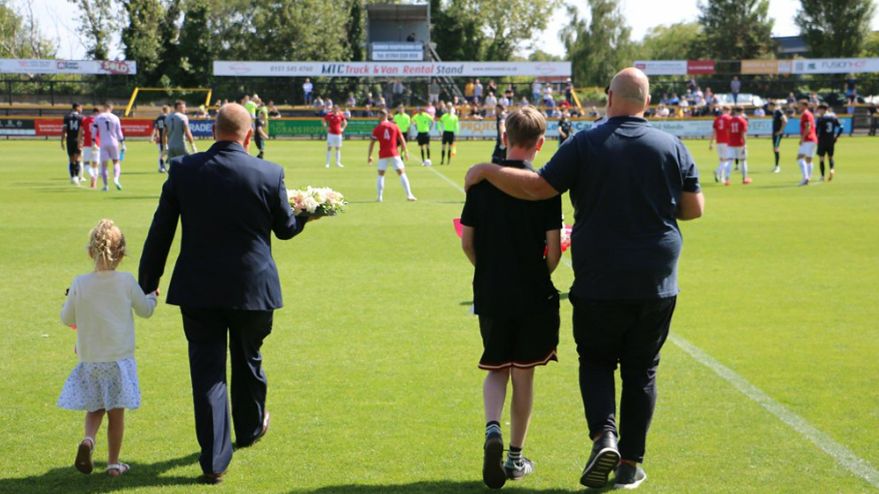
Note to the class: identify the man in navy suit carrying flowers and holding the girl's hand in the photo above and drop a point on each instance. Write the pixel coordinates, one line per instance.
(225, 280)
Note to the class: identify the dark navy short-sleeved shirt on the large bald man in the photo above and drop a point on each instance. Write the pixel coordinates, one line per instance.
(625, 180)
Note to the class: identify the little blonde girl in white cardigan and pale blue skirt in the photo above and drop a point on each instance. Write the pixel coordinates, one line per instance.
(105, 380)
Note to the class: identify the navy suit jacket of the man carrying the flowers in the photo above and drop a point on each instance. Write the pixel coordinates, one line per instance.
(229, 203)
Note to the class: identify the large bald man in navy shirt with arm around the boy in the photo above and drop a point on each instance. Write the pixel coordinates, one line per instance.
(630, 183)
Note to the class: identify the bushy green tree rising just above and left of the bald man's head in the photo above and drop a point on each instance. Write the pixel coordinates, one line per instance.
(599, 48)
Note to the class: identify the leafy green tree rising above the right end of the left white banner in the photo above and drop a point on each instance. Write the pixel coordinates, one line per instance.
(142, 38)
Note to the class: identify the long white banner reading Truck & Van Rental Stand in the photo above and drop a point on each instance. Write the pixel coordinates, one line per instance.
(392, 69)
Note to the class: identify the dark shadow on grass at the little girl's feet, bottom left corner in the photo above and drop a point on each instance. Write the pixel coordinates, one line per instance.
(68, 480)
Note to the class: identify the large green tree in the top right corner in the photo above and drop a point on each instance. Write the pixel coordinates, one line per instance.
(835, 28)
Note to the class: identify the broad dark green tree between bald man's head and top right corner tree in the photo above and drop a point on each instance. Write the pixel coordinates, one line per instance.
(736, 29)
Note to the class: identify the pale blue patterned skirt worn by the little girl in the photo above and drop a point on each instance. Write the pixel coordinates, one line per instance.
(101, 385)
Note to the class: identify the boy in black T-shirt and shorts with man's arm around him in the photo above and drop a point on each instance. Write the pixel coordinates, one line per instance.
(514, 245)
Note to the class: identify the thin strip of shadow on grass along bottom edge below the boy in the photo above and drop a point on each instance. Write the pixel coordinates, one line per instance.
(432, 487)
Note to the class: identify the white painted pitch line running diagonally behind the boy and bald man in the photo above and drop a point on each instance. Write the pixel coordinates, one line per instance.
(843, 456)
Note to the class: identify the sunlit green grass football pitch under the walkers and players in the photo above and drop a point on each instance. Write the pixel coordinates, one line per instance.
(373, 385)
